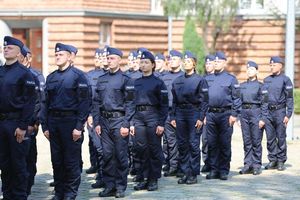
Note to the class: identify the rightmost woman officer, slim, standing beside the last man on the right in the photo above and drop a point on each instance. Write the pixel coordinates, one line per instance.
(252, 112)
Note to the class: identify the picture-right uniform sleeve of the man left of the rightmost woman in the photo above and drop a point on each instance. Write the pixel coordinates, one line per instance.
(236, 98)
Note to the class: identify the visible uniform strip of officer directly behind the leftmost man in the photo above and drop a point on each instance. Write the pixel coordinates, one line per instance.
(40, 97)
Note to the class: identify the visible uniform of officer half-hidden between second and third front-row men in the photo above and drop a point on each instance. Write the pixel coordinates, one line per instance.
(95, 145)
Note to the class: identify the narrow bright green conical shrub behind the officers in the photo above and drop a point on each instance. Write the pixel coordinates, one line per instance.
(193, 43)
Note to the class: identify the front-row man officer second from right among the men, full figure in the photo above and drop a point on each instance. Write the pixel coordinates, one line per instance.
(223, 108)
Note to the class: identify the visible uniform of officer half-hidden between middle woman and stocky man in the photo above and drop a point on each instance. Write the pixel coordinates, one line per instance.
(204, 148)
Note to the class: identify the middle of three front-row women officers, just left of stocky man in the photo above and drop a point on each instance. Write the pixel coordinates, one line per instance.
(189, 107)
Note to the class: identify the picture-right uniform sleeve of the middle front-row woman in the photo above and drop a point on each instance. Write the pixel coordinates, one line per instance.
(203, 91)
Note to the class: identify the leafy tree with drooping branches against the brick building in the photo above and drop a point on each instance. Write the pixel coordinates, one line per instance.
(213, 17)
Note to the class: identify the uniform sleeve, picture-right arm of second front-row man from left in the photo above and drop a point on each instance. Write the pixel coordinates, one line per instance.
(84, 99)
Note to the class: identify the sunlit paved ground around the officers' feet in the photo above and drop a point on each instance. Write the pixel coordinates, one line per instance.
(269, 185)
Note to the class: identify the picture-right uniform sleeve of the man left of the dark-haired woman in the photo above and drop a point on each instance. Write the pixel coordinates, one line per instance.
(129, 102)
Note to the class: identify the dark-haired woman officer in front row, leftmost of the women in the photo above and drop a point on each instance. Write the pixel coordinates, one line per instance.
(151, 105)
